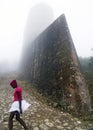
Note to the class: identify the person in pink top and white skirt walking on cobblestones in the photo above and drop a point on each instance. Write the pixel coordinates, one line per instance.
(18, 106)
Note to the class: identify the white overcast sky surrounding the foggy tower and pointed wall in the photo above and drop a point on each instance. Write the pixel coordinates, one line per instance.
(13, 18)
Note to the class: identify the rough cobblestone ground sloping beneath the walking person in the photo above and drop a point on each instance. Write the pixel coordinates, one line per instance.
(39, 116)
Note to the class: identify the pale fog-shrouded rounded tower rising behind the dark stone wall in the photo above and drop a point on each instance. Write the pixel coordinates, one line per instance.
(39, 18)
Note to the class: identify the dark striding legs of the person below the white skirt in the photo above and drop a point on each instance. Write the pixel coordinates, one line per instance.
(16, 113)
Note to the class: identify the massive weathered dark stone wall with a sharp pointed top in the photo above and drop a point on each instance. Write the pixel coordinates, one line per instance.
(52, 63)
